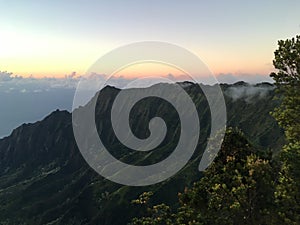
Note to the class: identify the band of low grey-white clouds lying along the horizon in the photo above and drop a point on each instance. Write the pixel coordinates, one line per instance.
(14, 83)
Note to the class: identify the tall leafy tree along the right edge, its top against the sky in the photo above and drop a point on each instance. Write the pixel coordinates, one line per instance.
(287, 80)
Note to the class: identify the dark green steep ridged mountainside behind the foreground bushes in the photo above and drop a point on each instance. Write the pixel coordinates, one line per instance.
(45, 180)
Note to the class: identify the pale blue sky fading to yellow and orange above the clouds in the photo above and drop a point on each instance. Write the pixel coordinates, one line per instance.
(59, 37)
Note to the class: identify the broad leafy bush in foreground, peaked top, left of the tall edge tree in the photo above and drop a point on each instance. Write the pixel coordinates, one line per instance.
(237, 188)
